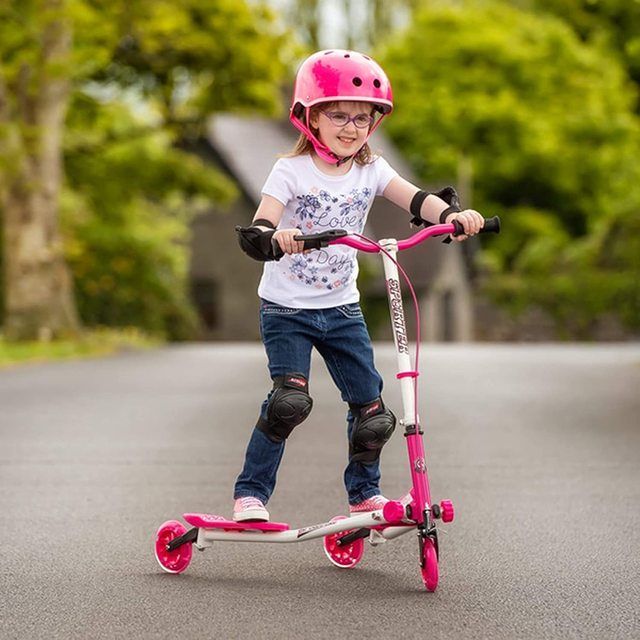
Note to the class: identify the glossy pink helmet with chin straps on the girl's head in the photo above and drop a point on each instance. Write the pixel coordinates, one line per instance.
(337, 74)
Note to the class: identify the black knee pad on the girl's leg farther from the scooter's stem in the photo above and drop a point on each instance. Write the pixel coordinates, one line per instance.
(289, 405)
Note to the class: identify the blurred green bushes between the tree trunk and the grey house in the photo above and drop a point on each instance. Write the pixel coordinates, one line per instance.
(127, 212)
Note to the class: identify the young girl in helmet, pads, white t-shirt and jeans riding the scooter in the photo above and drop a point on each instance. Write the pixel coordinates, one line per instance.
(310, 299)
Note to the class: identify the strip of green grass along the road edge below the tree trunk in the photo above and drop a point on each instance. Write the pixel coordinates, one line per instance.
(92, 344)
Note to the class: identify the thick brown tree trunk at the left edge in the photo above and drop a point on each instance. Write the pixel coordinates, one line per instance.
(39, 301)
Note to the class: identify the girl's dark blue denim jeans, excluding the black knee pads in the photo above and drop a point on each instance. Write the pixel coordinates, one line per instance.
(340, 335)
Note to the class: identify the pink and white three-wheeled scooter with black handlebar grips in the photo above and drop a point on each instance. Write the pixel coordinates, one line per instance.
(343, 537)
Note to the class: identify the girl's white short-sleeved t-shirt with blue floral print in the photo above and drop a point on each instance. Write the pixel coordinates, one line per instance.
(315, 202)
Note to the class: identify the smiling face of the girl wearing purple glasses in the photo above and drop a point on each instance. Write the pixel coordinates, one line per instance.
(343, 126)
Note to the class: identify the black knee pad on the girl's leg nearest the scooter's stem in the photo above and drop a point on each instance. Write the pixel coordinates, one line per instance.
(373, 425)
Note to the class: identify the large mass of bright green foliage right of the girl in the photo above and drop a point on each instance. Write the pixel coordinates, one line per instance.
(548, 123)
